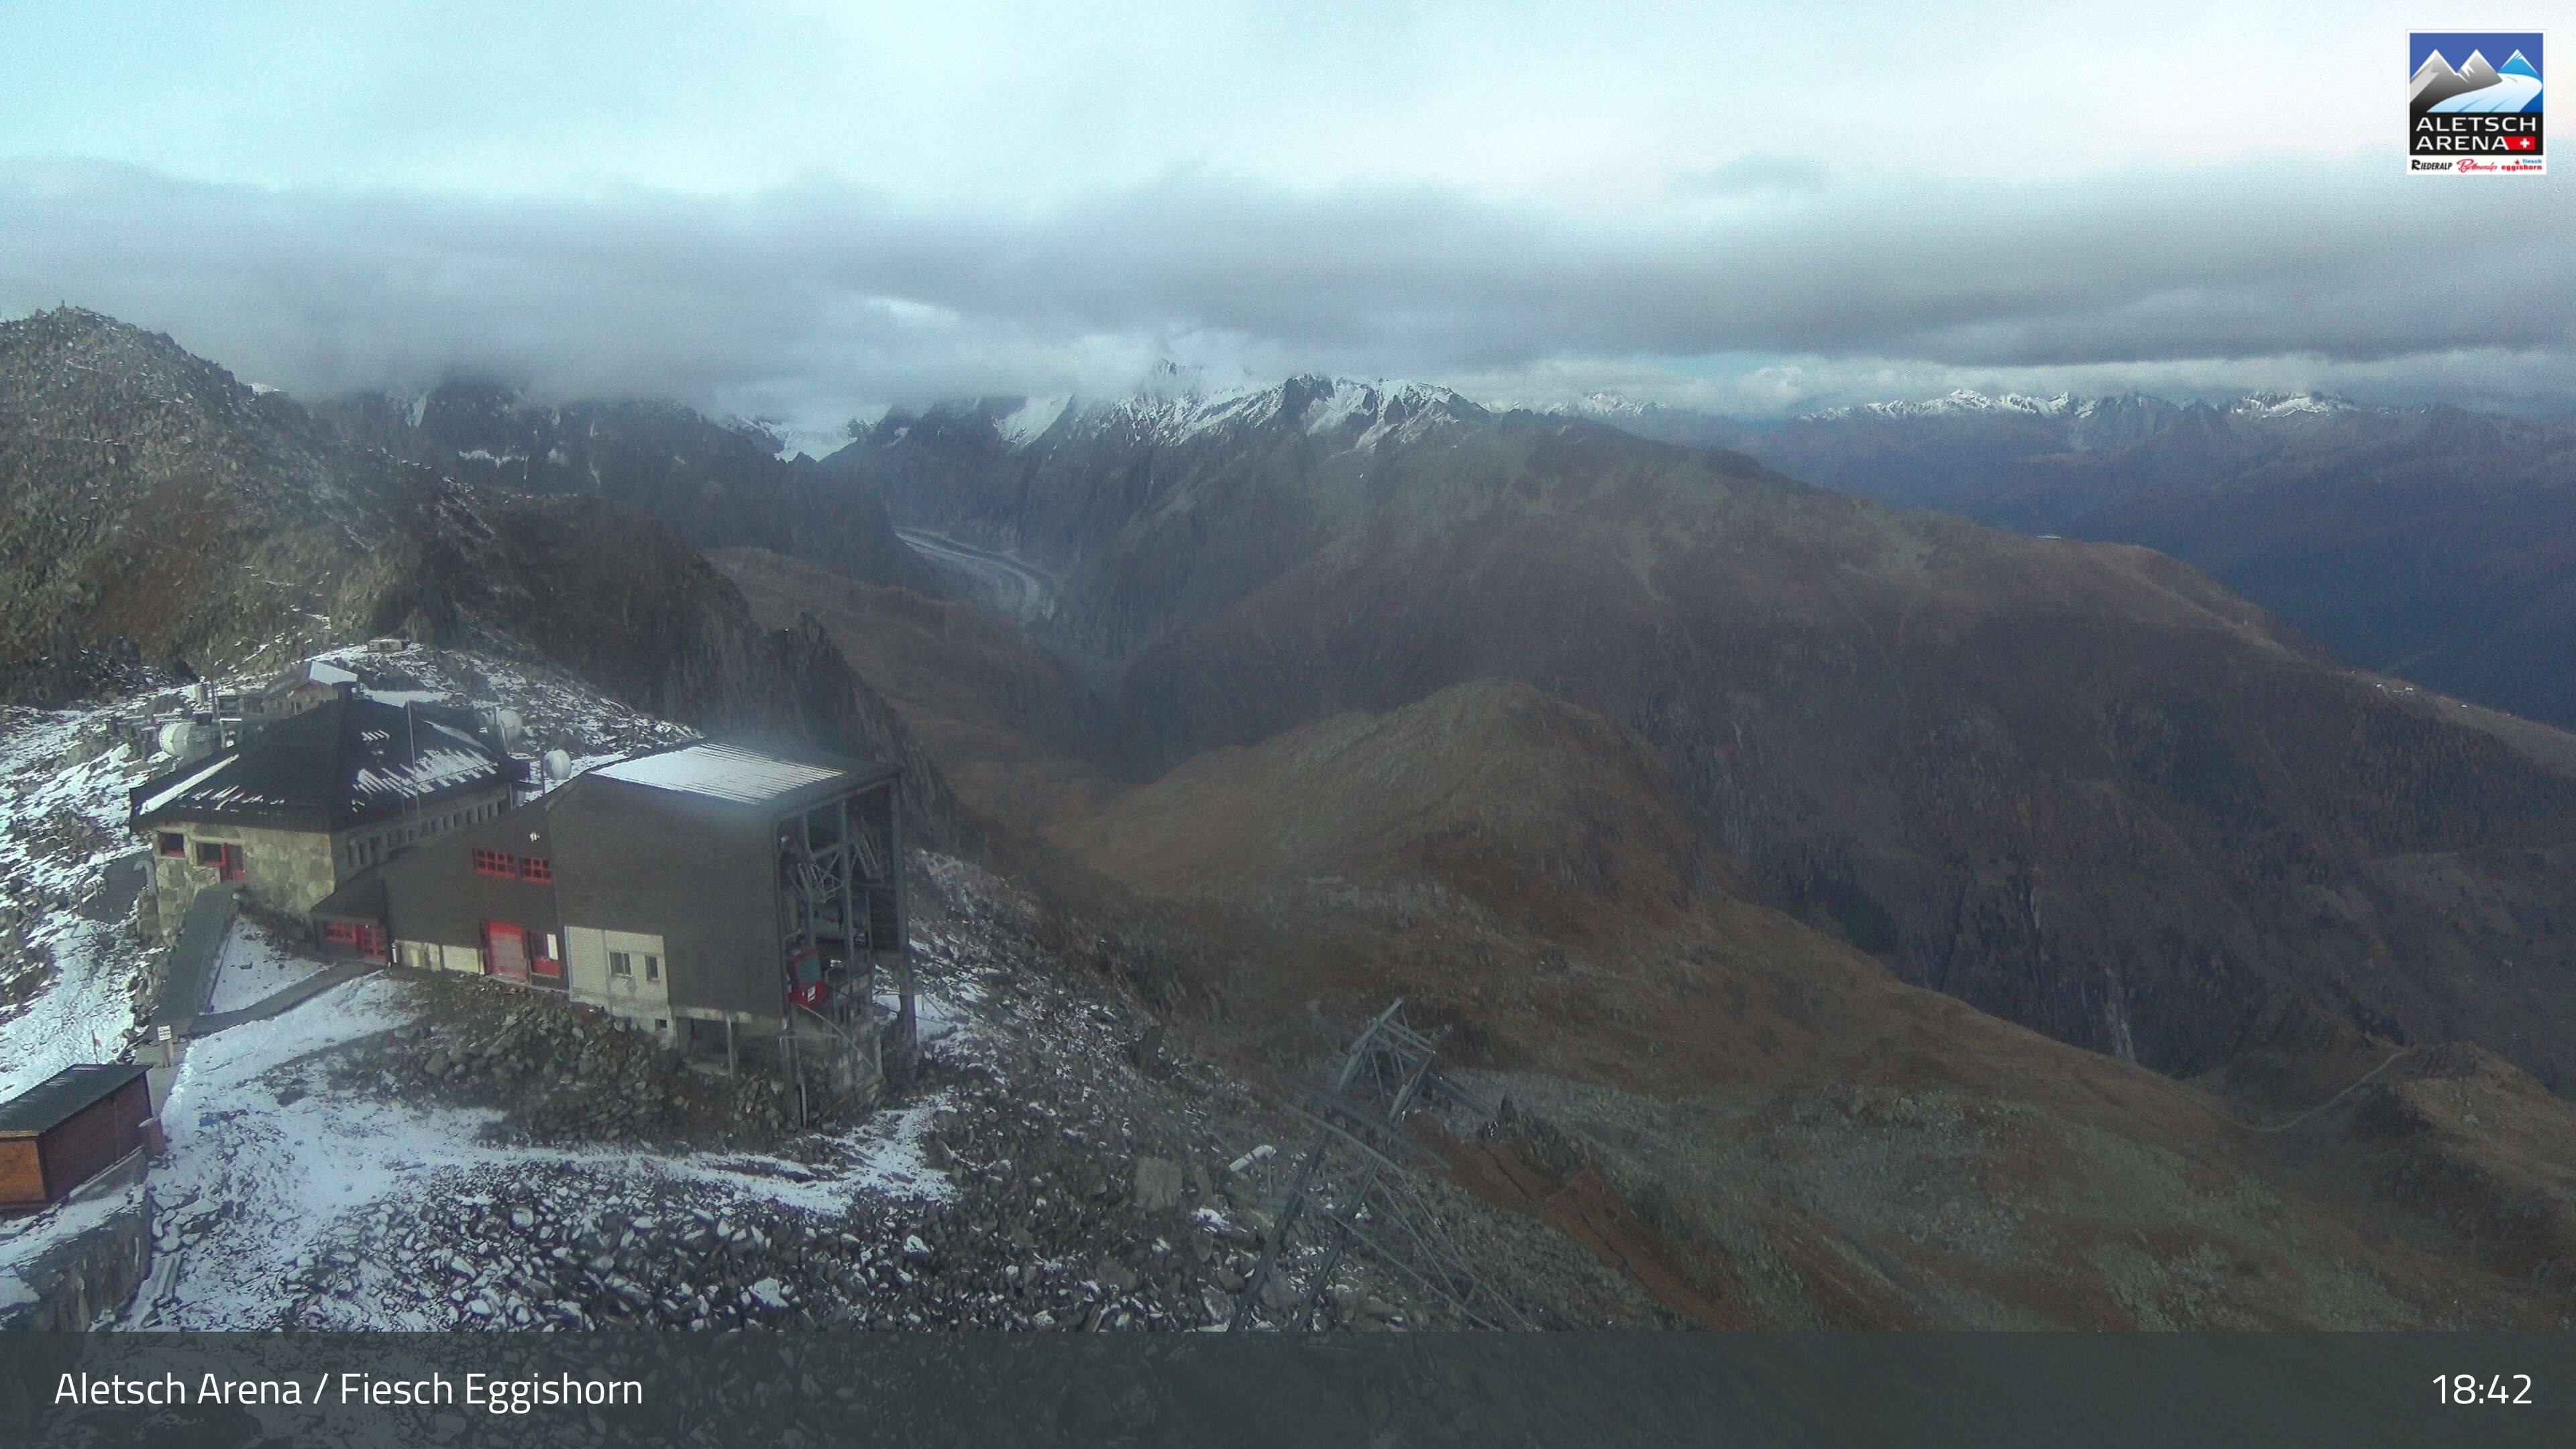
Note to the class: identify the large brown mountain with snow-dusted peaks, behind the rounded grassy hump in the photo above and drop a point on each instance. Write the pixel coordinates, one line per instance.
(2078, 785)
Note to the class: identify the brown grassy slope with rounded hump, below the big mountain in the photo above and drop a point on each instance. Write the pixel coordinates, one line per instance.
(1766, 1125)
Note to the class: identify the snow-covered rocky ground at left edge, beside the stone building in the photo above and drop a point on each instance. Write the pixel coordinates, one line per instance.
(61, 831)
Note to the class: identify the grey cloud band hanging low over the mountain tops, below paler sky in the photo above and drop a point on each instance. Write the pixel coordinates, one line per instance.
(1740, 293)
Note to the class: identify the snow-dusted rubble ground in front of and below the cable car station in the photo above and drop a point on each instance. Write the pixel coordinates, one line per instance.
(1057, 1164)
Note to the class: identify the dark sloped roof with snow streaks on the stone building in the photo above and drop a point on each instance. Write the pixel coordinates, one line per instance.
(331, 767)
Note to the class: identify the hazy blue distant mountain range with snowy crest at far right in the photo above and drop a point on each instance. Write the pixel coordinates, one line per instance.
(2430, 543)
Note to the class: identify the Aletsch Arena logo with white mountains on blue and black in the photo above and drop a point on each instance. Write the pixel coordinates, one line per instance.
(2474, 104)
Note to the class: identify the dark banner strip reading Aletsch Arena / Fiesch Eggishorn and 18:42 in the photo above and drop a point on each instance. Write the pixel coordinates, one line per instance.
(1258, 1391)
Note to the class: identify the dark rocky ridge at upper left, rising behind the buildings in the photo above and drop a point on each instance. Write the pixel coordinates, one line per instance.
(156, 514)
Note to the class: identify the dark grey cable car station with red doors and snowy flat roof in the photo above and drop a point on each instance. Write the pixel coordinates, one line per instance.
(725, 899)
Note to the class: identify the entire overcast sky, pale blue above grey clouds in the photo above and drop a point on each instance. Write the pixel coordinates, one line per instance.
(813, 210)
